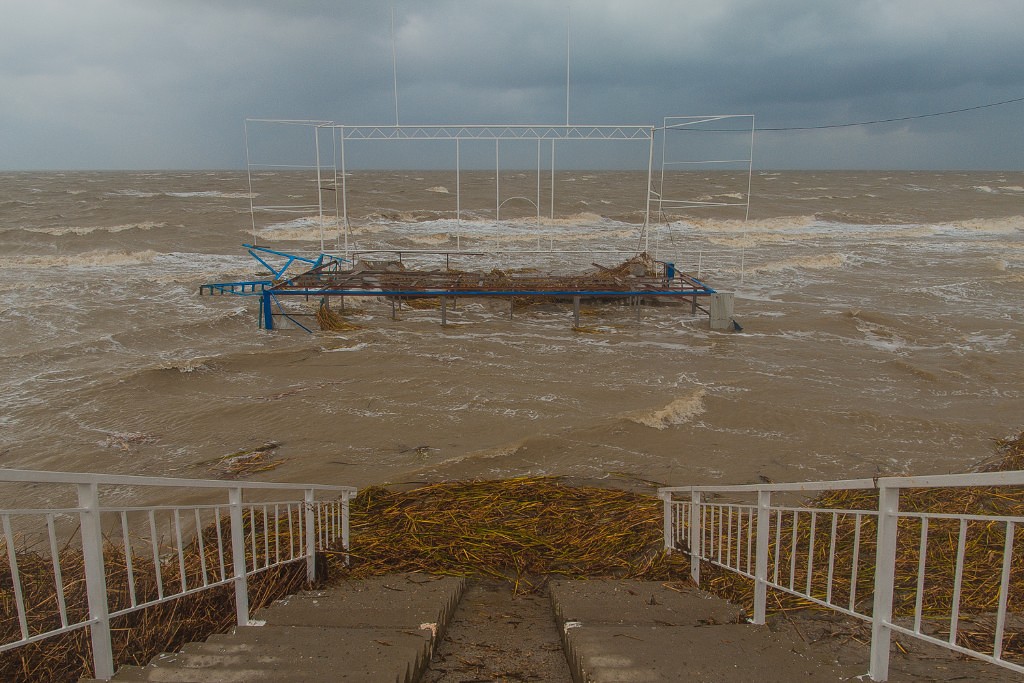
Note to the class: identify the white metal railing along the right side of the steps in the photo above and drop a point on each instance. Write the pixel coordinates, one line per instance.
(763, 540)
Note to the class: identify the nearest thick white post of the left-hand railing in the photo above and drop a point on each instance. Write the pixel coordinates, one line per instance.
(96, 580)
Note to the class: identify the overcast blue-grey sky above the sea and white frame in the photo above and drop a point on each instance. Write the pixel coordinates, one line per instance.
(155, 84)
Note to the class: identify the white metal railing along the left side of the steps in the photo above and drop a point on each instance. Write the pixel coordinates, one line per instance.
(240, 548)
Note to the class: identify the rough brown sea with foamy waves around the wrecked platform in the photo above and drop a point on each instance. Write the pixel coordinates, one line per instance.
(881, 332)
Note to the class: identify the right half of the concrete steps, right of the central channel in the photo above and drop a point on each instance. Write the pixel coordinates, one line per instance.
(645, 631)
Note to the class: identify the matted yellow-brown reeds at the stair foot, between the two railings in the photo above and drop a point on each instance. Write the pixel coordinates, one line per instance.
(522, 530)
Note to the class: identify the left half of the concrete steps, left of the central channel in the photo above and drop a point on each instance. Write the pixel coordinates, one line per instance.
(382, 629)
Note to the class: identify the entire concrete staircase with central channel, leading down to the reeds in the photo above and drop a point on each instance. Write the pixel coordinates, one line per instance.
(389, 629)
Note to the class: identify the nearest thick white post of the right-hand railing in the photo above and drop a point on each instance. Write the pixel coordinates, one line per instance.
(885, 571)
